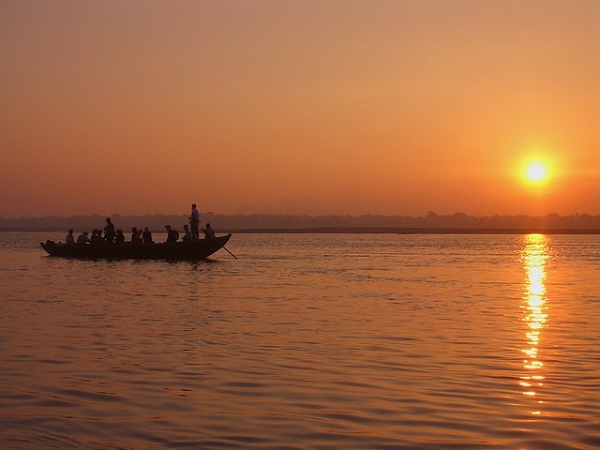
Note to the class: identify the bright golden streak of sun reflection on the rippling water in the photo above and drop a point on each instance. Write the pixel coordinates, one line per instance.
(534, 256)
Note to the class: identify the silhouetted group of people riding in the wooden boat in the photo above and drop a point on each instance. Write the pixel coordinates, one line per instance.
(110, 235)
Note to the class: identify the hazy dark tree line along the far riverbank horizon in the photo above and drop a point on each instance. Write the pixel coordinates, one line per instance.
(266, 222)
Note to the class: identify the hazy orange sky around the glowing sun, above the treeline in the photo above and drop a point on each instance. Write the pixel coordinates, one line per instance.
(303, 107)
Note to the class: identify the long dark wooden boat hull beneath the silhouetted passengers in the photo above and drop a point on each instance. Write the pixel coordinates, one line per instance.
(190, 250)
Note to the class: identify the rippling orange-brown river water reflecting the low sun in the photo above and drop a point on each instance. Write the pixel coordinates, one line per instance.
(306, 341)
